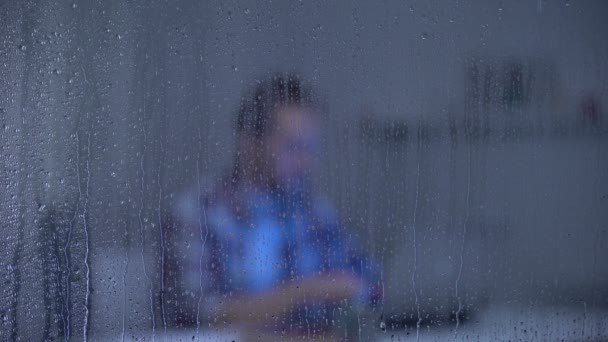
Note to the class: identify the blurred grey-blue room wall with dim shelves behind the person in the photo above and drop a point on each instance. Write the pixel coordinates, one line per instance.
(470, 135)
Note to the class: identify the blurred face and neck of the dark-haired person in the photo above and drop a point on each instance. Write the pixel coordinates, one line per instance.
(294, 148)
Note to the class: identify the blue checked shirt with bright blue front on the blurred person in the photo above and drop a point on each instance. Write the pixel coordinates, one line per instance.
(256, 240)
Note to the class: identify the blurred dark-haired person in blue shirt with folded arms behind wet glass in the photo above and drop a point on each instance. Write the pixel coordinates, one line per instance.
(272, 253)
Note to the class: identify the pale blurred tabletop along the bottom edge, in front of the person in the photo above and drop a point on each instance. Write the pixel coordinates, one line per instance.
(498, 323)
